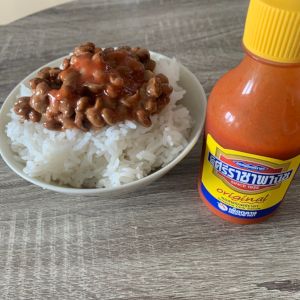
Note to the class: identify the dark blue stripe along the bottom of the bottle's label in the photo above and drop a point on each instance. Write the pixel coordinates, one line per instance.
(234, 212)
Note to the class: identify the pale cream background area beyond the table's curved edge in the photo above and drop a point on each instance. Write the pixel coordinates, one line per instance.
(11, 10)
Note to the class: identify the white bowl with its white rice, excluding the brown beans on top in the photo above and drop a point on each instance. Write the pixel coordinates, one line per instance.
(111, 161)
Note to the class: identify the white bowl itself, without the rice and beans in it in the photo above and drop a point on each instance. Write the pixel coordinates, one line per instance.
(194, 100)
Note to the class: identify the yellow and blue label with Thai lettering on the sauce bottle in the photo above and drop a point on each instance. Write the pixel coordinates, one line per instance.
(244, 185)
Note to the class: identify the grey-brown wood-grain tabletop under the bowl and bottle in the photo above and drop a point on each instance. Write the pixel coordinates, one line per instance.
(160, 243)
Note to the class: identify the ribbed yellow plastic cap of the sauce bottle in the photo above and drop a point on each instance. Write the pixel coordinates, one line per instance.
(272, 30)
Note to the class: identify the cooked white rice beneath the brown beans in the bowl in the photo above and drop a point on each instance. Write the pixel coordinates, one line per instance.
(110, 157)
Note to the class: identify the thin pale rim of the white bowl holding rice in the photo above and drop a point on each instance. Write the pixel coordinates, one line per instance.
(91, 191)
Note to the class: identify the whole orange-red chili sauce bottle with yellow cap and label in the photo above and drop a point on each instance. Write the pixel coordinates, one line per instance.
(252, 131)
